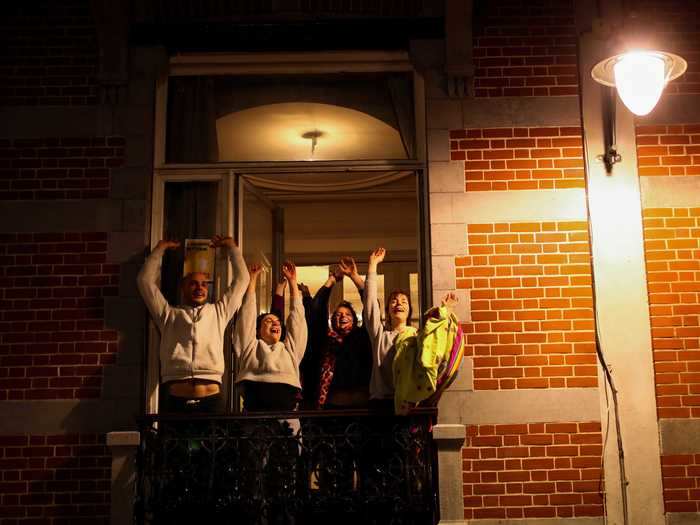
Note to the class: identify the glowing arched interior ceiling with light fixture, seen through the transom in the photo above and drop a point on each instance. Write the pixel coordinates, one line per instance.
(289, 131)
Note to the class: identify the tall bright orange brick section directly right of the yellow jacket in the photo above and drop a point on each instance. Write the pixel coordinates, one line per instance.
(531, 306)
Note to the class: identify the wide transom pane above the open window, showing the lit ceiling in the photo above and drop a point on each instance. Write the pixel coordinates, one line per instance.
(290, 118)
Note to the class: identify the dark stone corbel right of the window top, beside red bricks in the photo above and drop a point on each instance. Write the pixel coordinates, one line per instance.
(459, 63)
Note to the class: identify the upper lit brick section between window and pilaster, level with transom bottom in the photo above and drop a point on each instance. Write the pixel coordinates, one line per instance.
(519, 158)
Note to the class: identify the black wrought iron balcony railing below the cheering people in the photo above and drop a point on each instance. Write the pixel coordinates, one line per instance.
(341, 467)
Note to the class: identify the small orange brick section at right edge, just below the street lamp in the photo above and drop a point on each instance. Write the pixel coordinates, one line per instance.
(668, 150)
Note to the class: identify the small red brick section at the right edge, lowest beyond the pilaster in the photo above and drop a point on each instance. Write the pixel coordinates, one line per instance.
(681, 475)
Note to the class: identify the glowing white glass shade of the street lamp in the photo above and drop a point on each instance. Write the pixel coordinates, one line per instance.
(640, 78)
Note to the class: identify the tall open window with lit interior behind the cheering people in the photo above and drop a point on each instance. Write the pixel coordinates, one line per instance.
(307, 156)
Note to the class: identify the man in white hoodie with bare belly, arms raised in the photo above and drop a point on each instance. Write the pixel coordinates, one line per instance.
(192, 335)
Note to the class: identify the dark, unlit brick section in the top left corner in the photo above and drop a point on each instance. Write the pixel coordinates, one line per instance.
(49, 54)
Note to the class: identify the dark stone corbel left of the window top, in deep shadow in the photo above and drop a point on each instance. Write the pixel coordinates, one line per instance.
(112, 21)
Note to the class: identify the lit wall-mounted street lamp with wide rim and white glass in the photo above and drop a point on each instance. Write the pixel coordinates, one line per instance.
(639, 76)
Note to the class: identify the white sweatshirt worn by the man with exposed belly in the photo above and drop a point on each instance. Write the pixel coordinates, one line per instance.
(192, 338)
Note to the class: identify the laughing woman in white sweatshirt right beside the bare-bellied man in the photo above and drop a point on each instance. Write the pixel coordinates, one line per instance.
(268, 368)
